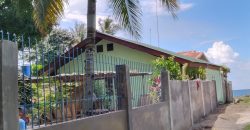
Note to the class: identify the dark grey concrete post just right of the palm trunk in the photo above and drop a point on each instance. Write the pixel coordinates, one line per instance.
(124, 90)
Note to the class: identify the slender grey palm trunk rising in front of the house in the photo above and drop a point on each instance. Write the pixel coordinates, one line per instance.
(89, 55)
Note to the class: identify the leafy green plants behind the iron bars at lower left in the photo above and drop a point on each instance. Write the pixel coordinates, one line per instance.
(44, 97)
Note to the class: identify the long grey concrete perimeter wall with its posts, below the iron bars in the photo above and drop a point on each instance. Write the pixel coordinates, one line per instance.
(182, 104)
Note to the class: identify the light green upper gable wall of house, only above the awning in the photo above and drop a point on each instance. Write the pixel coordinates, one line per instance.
(120, 54)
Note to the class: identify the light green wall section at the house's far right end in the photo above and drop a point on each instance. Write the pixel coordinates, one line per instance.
(216, 75)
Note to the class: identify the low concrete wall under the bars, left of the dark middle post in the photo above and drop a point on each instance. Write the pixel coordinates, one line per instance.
(111, 121)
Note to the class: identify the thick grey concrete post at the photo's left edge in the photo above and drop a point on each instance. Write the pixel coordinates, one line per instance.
(8, 86)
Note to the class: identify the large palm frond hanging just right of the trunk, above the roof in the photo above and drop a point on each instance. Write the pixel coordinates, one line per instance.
(128, 13)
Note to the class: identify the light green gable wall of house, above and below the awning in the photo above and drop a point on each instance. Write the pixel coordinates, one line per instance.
(105, 62)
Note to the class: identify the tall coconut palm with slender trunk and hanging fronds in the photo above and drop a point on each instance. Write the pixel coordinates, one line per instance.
(126, 12)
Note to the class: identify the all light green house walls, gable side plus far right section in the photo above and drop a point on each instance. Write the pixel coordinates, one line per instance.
(106, 61)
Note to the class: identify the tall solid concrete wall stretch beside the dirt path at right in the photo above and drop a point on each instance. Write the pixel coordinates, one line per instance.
(191, 100)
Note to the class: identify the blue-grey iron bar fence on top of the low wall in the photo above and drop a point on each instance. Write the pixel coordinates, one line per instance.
(52, 83)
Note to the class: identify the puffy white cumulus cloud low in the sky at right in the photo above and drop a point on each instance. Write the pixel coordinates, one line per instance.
(221, 53)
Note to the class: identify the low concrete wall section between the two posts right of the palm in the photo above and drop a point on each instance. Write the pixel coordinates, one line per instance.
(151, 117)
